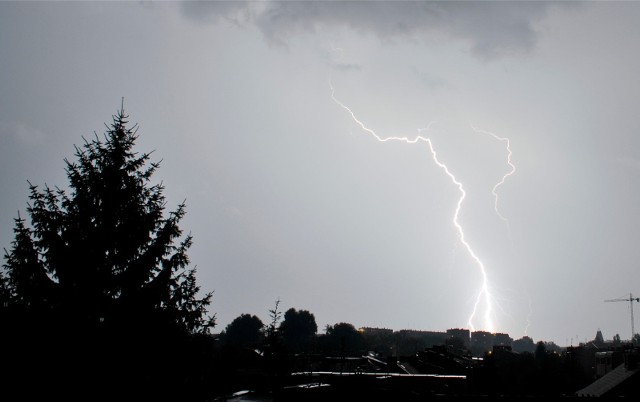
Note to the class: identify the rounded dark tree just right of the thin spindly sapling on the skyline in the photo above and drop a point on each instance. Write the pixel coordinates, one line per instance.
(298, 330)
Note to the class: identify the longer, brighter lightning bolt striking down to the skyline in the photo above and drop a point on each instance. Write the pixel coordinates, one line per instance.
(484, 295)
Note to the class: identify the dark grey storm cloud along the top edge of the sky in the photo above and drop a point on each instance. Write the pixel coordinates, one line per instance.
(491, 29)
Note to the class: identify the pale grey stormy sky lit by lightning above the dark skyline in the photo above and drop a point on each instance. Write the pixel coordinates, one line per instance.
(406, 165)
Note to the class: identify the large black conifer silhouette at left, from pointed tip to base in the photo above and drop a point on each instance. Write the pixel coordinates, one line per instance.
(97, 281)
